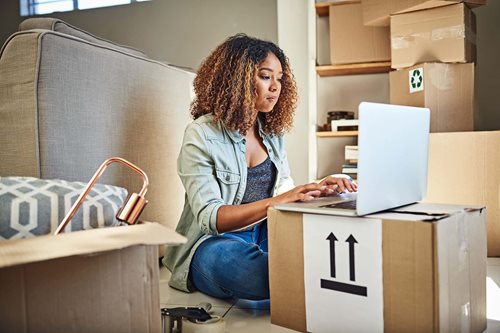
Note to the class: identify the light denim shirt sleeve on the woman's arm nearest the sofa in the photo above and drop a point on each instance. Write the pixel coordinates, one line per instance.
(196, 170)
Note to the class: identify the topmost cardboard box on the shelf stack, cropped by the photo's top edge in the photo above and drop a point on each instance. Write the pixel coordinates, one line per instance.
(377, 12)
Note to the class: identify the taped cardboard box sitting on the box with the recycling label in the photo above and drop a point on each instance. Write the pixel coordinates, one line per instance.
(443, 34)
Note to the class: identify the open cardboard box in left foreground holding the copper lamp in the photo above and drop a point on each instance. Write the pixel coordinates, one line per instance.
(100, 280)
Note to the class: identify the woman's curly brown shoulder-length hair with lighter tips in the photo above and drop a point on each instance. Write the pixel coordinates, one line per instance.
(225, 86)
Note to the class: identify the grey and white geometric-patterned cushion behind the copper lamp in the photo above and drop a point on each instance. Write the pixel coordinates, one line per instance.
(32, 206)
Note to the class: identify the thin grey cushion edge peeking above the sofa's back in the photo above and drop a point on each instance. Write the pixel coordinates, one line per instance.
(65, 28)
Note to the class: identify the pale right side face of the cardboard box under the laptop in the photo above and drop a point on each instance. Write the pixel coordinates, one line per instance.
(461, 266)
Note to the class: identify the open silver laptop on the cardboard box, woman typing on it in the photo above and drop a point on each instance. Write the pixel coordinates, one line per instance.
(393, 143)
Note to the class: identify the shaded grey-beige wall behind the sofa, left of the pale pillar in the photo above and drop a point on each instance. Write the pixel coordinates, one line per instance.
(181, 32)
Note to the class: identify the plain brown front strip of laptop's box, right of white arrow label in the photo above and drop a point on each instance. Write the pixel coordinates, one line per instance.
(409, 282)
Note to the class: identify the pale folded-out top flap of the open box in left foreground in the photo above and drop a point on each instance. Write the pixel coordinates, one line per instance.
(21, 251)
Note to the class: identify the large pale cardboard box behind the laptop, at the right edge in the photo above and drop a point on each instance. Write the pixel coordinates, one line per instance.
(464, 168)
